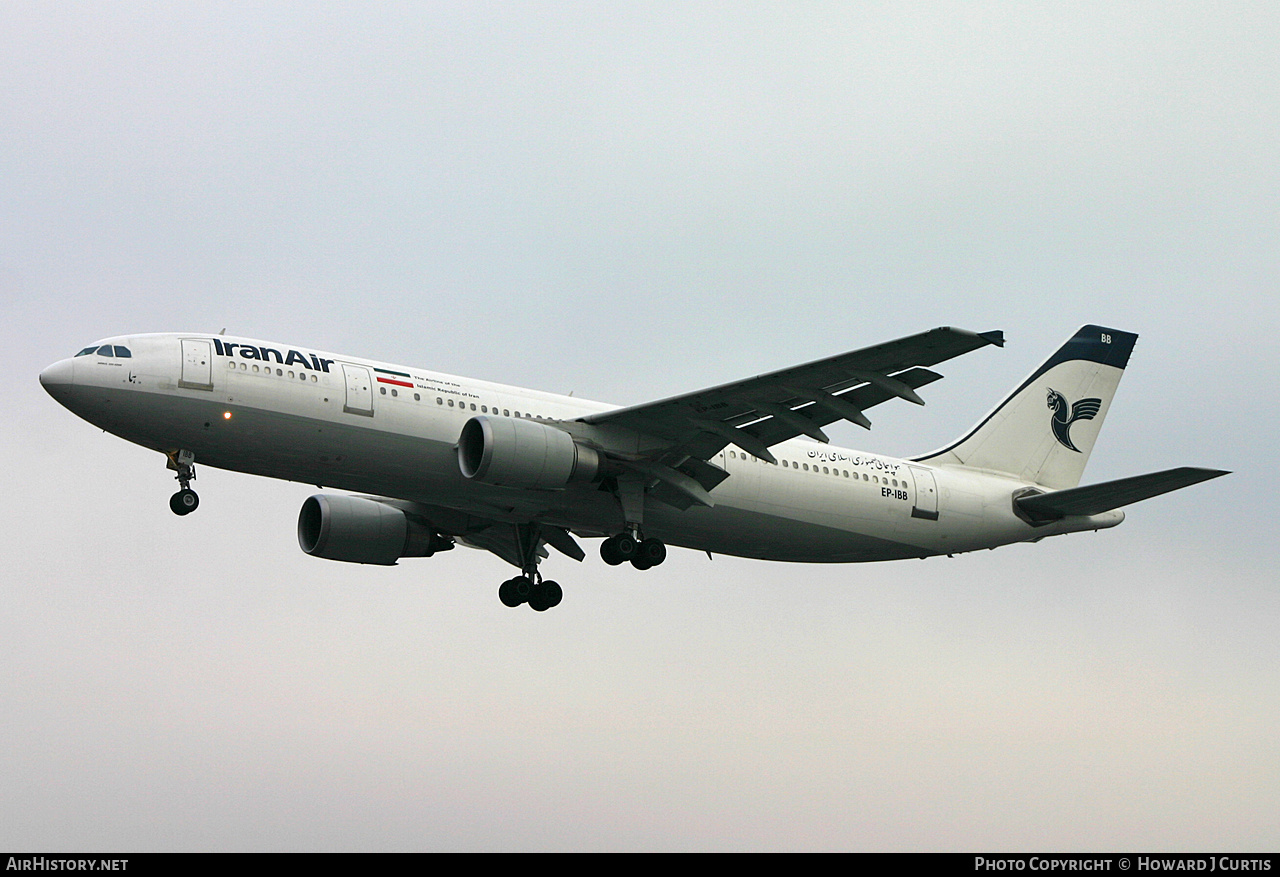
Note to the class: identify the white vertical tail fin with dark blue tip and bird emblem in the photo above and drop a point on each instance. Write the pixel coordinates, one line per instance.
(1045, 431)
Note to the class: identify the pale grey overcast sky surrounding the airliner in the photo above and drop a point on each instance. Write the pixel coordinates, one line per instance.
(630, 202)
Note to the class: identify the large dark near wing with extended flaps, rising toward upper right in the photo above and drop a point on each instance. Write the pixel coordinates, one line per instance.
(761, 412)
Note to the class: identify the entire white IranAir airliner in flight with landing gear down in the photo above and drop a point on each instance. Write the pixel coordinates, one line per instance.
(428, 462)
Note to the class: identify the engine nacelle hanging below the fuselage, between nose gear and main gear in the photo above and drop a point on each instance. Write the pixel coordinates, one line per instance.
(362, 531)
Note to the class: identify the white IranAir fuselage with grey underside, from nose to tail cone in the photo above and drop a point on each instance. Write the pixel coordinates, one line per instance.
(391, 431)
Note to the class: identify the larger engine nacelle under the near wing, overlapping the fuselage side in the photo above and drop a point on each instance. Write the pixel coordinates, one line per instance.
(524, 454)
